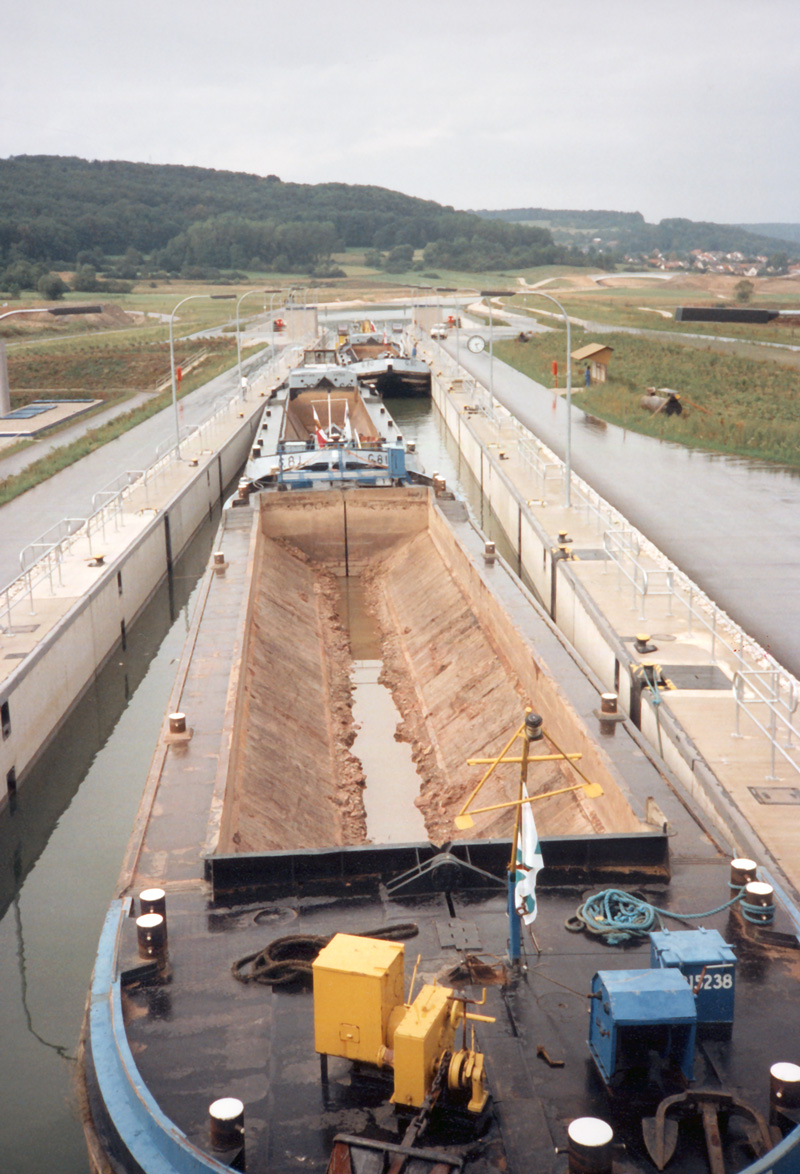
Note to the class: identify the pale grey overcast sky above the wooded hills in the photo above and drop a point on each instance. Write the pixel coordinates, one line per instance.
(688, 109)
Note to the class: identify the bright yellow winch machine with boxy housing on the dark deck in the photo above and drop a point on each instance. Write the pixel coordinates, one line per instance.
(361, 1015)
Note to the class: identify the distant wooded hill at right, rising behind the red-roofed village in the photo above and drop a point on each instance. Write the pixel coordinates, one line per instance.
(631, 233)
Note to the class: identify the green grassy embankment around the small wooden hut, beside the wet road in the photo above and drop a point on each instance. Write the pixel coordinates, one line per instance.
(732, 404)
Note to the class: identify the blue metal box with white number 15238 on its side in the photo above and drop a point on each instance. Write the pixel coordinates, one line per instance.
(710, 966)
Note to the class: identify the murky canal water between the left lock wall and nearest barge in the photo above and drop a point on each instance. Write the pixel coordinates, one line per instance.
(62, 846)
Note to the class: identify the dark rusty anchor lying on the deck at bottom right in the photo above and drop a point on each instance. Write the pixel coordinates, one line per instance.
(662, 1135)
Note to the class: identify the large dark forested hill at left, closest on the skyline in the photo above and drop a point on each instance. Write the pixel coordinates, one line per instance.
(65, 210)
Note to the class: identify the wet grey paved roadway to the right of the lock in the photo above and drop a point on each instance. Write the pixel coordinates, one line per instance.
(732, 525)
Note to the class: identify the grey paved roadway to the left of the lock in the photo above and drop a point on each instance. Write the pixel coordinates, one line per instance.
(70, 492)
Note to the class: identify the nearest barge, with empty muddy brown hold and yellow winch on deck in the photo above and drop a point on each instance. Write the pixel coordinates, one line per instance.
(516, 1045)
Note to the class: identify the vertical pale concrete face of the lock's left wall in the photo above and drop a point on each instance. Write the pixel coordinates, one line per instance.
(45, 687)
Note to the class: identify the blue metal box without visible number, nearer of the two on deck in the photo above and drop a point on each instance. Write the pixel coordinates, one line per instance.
(636, 1013)
